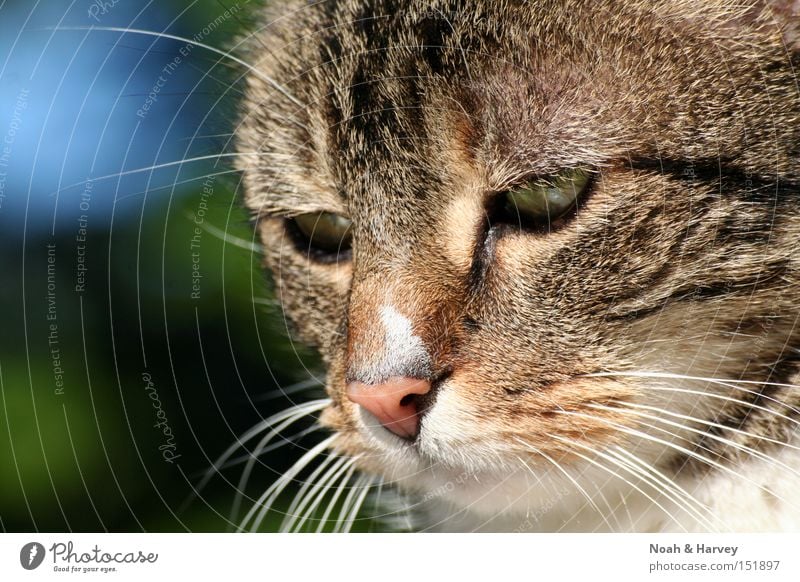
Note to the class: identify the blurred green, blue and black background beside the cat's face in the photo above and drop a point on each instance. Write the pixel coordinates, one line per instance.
(139, 339)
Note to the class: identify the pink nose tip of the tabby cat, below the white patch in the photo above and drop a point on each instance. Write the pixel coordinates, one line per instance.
(393, 402)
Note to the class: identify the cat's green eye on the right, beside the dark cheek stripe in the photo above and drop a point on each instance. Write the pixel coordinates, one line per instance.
(544, 200)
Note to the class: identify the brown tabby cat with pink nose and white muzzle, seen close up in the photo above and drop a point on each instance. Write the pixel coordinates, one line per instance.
(547, 251)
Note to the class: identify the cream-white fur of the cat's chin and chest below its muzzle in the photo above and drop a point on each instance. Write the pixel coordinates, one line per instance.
(753, 495)
